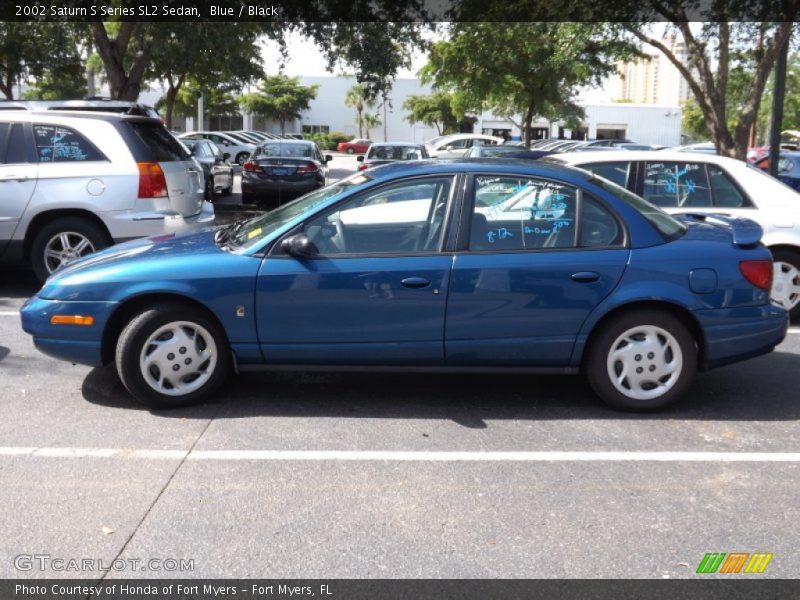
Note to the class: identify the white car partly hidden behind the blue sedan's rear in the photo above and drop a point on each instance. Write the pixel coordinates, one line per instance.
(702, 183)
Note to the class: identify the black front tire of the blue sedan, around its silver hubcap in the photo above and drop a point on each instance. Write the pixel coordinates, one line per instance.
(131, 344)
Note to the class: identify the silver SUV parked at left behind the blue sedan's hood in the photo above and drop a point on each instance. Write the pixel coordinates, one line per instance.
(73, 182)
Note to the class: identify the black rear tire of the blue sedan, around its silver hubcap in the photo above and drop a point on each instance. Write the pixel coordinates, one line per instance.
(596, 368)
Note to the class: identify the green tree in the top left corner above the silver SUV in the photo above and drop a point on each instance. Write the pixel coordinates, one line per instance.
(50, 54)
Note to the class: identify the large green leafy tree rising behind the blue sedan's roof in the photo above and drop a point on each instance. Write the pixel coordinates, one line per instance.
(522, 68)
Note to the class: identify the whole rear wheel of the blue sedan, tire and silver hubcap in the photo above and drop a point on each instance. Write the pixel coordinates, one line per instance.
(641, 361)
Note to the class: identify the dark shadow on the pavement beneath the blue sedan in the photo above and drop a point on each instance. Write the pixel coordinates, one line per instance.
(737, 393)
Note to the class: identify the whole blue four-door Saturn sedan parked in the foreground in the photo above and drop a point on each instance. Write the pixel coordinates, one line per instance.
(479, 265)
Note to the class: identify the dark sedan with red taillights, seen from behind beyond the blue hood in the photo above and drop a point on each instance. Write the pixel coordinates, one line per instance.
(281, 170)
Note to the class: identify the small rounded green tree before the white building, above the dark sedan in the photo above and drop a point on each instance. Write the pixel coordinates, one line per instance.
(280, 98)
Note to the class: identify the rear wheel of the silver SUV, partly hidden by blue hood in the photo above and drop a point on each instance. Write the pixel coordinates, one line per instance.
(64, 240)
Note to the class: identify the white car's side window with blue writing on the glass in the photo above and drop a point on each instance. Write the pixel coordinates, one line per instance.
(676, 184)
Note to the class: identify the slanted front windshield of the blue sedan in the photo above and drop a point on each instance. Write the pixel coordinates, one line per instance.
(256, 229)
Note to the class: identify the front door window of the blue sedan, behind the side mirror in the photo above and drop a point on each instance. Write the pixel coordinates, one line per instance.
(406, 217)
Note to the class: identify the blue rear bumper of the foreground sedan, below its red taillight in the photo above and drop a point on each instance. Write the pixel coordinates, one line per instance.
(737, 334)
